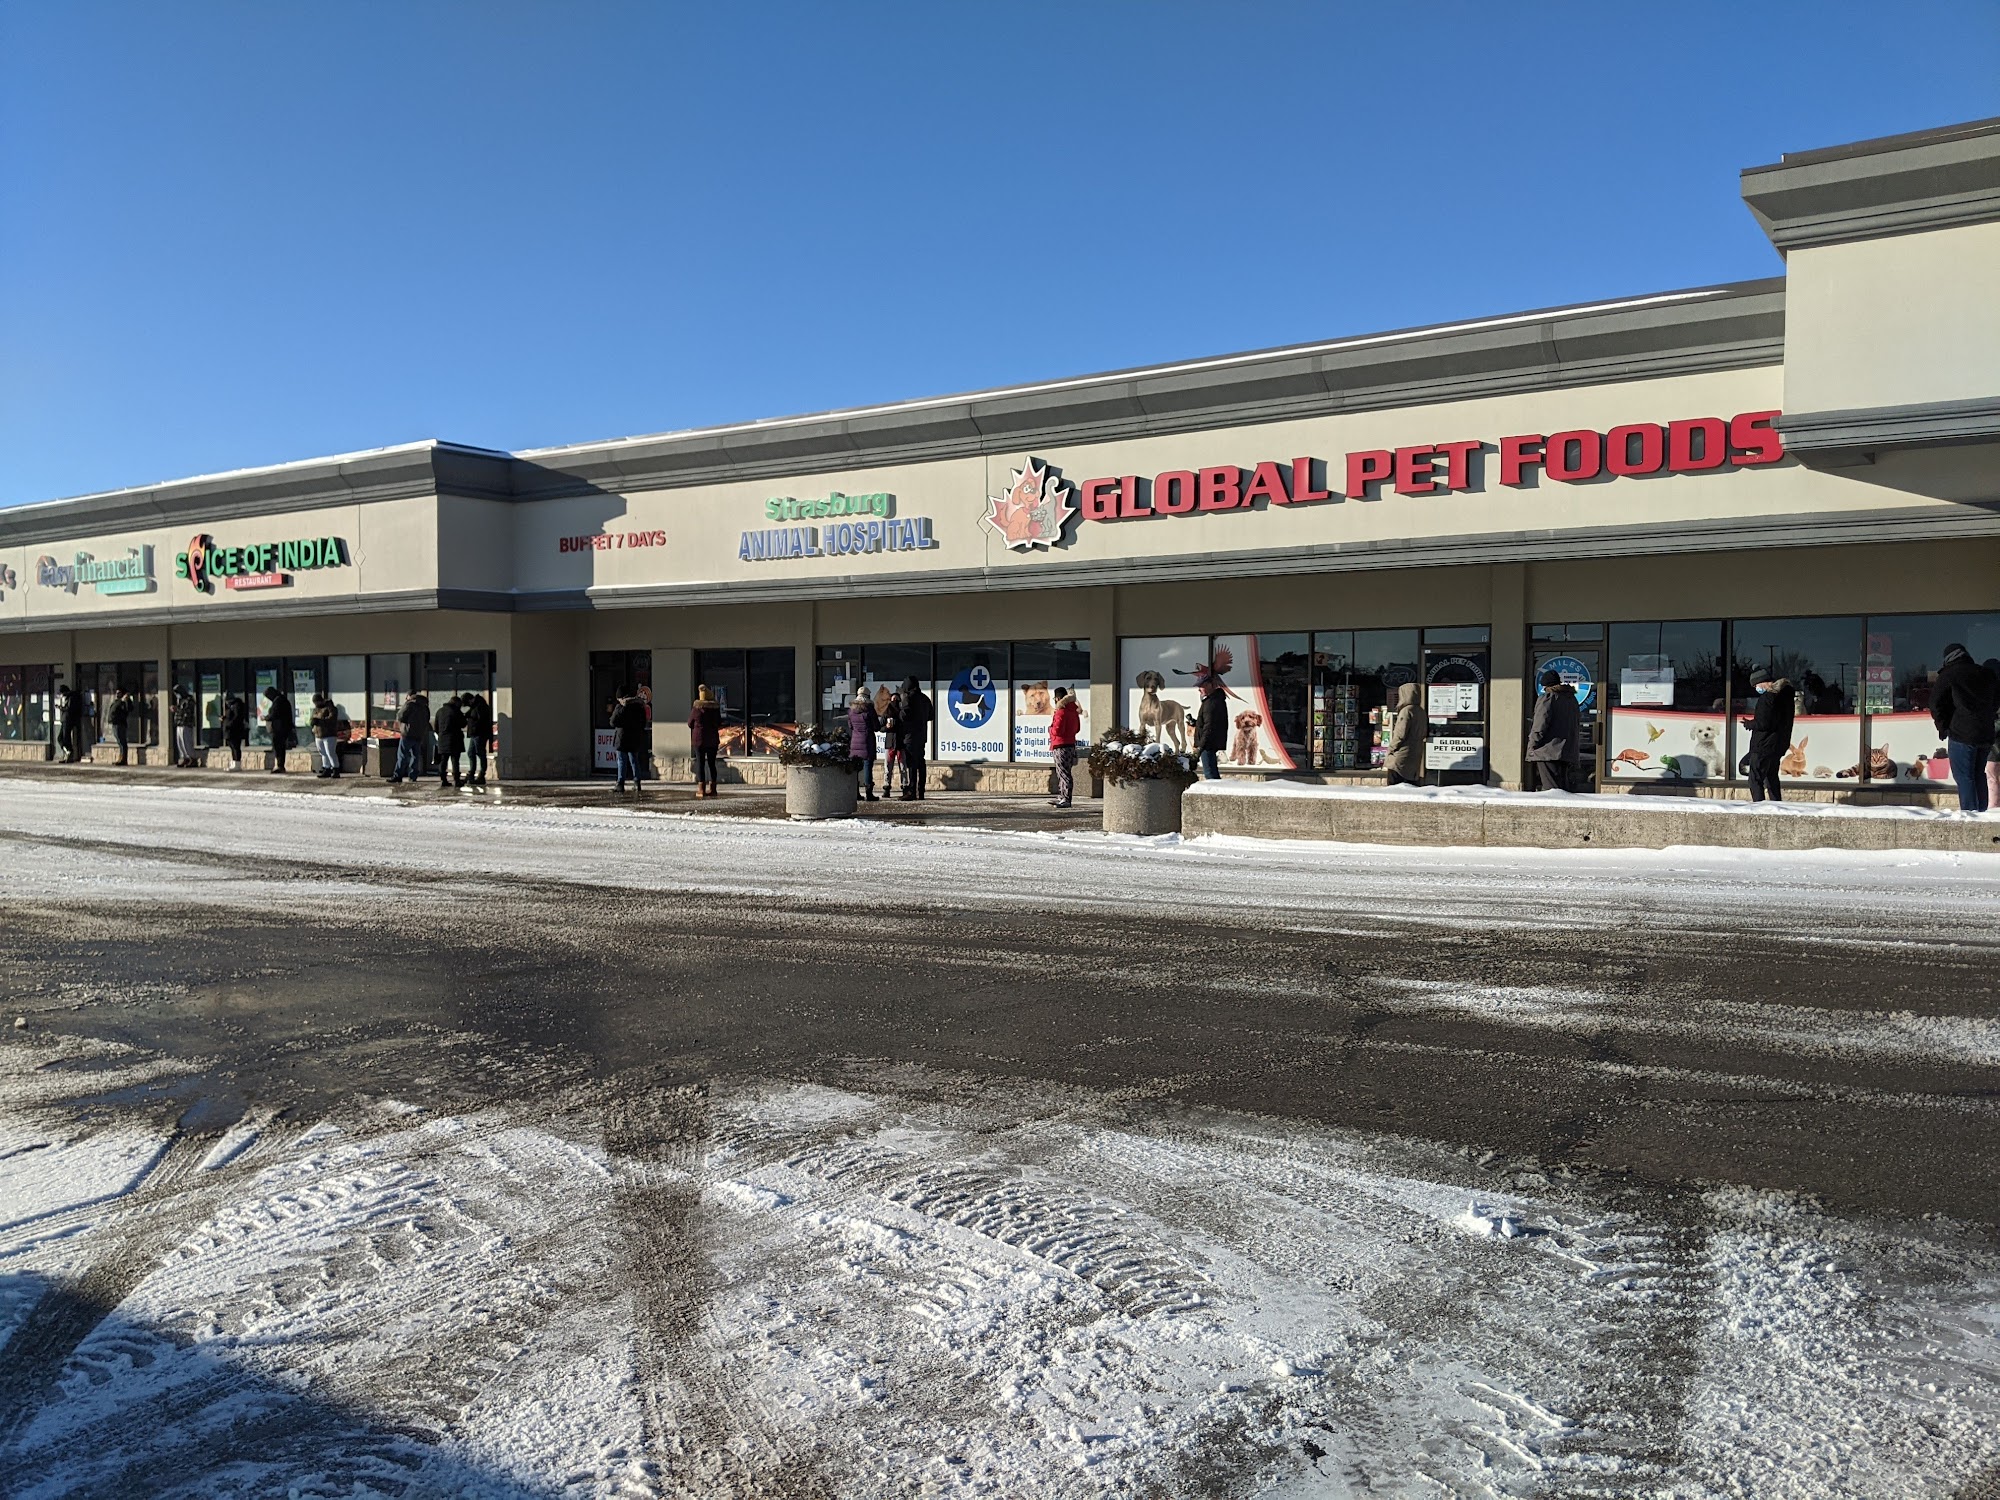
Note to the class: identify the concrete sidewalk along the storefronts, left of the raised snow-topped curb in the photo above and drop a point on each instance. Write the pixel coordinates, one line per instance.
(959, 809)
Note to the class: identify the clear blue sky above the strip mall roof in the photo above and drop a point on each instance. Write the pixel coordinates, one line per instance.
(237, 235)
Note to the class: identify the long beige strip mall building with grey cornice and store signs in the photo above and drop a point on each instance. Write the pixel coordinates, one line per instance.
(1661, 499)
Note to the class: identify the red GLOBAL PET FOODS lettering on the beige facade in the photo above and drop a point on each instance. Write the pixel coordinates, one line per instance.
(1577, 457)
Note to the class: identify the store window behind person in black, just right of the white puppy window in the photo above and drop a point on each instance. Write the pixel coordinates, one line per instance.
(1823, 659)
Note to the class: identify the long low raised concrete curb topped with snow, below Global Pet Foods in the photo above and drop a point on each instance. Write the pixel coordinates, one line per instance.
(1557, 821)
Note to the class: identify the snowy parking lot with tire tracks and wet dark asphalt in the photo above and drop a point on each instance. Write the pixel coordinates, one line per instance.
(363, 1149)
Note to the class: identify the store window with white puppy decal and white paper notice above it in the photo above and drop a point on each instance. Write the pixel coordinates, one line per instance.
(1667, 703)
